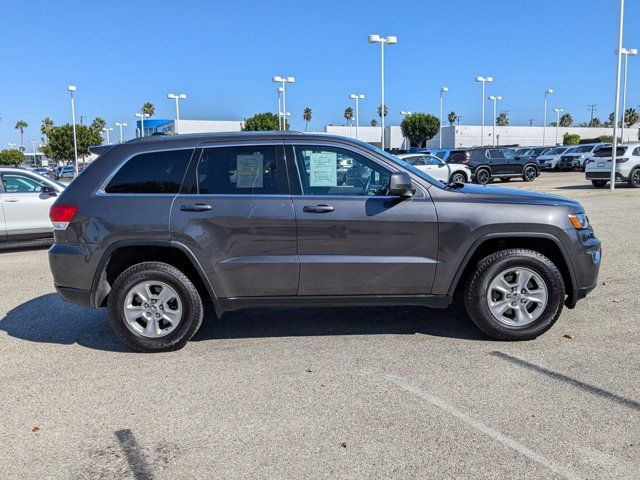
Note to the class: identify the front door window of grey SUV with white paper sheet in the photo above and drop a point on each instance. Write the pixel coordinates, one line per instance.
(326, 170)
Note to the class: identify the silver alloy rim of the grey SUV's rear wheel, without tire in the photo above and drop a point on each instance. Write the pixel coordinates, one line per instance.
(152, 309)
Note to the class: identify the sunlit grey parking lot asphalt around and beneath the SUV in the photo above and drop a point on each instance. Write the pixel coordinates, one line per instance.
(330, 393)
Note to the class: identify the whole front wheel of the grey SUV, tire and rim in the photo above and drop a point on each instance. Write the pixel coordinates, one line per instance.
(514, 294)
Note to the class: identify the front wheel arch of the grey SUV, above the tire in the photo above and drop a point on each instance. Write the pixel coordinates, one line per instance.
(545, 243)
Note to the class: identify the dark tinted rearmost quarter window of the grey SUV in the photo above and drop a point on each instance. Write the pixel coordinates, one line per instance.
(151, 173)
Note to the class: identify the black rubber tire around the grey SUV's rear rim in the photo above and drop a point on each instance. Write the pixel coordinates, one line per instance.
(192, 313)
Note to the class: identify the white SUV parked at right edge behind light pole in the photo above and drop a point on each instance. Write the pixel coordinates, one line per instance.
(598, 168)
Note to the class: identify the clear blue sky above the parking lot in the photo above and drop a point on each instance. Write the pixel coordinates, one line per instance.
(224, 53)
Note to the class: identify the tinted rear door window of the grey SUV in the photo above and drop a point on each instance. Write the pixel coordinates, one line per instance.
(250, 170)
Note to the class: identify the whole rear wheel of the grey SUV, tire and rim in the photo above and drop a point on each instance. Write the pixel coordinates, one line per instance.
(154, 307)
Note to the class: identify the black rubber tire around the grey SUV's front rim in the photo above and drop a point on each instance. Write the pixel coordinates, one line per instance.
(477, 286)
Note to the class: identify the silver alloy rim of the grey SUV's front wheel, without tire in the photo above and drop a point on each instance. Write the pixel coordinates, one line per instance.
(517, 296)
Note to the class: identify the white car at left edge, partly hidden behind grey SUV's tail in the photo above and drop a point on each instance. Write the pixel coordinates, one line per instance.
(25, 200)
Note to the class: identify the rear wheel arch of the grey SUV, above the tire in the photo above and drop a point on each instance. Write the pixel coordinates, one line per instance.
(121, 255)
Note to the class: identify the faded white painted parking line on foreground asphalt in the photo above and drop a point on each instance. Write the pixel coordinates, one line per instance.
(509, 442)
